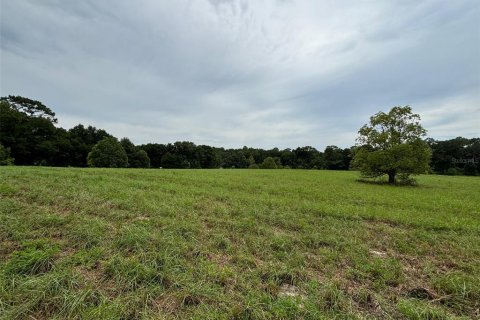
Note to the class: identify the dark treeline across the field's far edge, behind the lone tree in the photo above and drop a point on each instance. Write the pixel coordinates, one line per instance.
(29, 136)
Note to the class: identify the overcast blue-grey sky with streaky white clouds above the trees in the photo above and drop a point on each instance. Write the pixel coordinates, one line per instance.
(260, 73)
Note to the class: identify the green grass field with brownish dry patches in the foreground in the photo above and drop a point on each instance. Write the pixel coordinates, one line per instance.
(235, 244)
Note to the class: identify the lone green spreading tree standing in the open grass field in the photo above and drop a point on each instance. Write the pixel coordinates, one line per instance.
(391, 144)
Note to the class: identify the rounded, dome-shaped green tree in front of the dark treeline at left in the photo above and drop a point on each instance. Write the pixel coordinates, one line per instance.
(108, 153)
